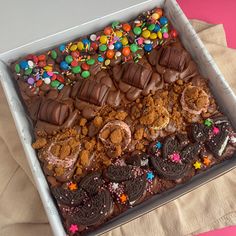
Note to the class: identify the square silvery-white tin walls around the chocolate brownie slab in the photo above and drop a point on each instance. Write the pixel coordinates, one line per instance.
(223, 94)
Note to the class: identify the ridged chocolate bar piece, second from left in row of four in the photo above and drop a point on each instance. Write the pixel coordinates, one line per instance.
(93, 92)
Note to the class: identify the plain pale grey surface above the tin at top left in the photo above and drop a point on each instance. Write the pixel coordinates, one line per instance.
(23, 21)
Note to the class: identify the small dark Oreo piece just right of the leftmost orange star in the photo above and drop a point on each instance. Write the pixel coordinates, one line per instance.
(91, 183)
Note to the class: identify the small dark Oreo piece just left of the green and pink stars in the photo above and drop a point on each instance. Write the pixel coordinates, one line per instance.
(199, 132)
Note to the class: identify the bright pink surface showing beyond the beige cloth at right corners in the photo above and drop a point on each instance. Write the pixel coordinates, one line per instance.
(216, 12)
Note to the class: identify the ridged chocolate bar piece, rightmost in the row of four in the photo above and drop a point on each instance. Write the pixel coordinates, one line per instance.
(173, 58)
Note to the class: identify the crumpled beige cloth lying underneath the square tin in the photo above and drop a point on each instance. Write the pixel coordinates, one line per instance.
(210, 206)
